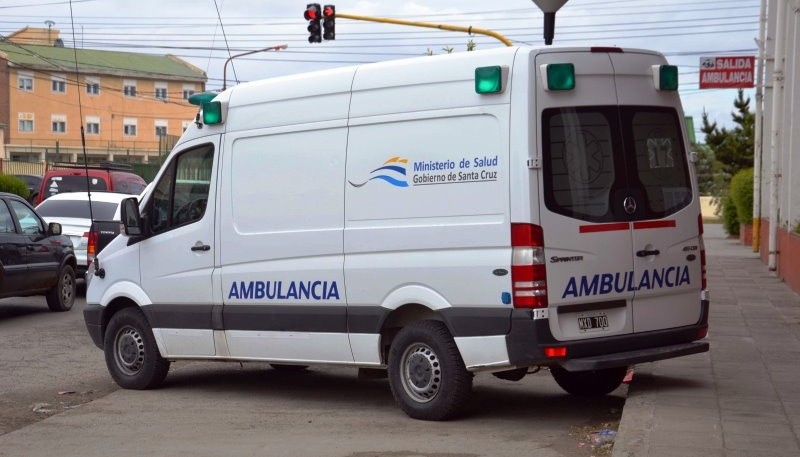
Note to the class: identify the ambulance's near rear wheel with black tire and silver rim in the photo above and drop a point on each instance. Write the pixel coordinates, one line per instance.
(426, 373)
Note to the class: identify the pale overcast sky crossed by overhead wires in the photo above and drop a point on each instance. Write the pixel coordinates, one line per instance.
(207, 32)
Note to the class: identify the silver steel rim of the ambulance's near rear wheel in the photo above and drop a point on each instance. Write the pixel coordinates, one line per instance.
(422, 373)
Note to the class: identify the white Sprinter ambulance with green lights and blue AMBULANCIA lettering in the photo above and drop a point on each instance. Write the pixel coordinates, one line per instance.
(436, 217)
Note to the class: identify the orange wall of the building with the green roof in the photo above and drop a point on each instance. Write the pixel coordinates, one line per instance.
(110, 106)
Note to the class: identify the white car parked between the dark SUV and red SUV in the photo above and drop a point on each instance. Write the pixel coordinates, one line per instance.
(71, 210)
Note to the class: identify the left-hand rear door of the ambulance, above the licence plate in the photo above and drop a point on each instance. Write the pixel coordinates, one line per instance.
(587, 235)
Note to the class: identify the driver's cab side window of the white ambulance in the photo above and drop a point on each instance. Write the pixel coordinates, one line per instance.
(180, 196)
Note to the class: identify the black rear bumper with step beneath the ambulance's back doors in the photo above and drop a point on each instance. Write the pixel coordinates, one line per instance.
(528, 340)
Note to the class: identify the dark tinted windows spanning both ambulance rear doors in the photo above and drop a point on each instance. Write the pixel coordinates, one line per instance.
(598, 160)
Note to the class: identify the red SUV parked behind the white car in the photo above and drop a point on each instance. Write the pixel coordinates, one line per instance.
(103, 177)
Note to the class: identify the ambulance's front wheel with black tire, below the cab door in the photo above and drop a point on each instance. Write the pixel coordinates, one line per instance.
(131, 352)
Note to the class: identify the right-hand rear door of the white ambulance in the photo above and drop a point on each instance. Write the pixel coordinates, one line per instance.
(661, 200)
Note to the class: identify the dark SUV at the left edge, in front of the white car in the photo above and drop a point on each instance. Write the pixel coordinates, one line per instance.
(36, 258)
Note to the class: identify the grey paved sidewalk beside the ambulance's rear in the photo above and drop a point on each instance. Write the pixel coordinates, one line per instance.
(741, 399)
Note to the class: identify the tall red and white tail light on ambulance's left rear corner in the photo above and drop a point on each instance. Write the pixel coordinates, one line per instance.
(528, 274)
